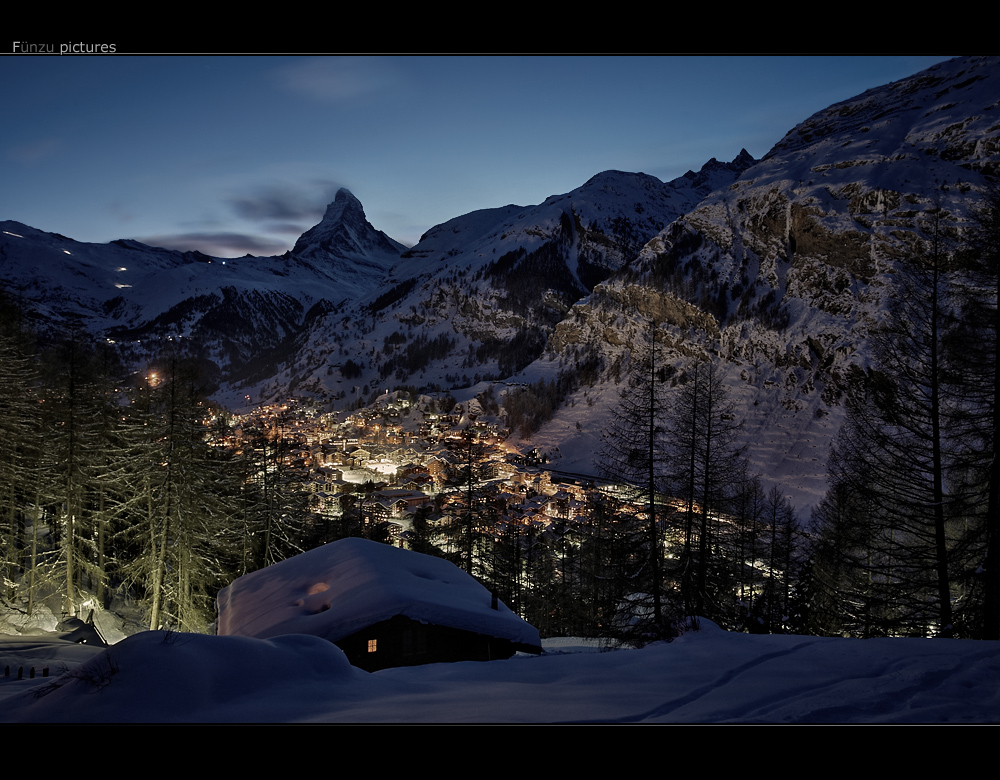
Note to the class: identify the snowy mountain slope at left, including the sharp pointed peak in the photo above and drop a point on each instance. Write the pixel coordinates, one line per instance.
(231, 310)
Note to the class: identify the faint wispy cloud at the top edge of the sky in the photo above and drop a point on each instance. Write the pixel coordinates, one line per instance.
(333, 79)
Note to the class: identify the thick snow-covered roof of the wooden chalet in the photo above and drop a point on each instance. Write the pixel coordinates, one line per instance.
(345, 586)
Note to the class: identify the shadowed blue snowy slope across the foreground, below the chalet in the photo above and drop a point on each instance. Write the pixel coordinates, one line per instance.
(710, 676)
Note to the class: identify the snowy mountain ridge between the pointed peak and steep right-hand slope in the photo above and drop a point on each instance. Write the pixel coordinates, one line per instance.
(480, 294)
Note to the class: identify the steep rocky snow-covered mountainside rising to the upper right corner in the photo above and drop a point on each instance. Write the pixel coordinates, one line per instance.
(782, 273)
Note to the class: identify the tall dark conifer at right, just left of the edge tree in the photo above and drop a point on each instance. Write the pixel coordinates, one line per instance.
(896, 456)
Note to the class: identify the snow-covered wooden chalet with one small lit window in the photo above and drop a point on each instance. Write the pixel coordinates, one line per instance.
(383, 606)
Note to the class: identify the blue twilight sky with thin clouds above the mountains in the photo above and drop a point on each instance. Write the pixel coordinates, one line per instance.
(237, 154)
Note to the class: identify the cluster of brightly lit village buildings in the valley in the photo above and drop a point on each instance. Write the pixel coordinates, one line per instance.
(402, 455)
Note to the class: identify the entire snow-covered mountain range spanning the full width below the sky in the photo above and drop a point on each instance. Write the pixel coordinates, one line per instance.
(776, 265)
